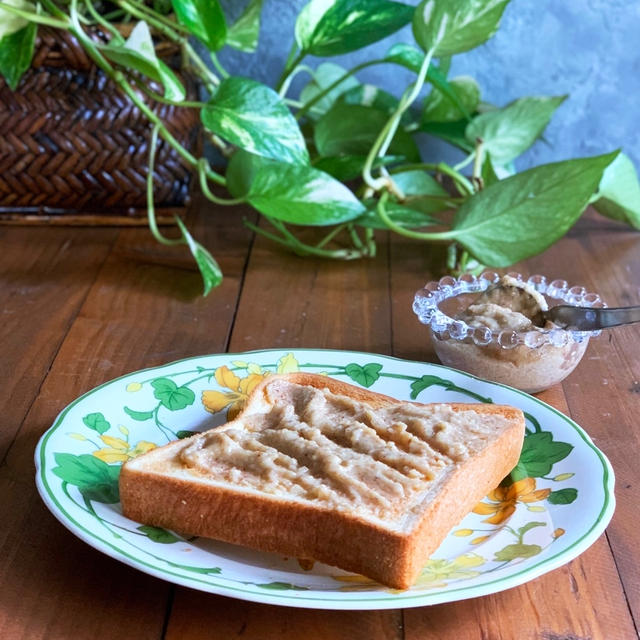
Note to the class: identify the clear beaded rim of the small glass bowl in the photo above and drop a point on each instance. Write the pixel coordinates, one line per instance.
(427, 300)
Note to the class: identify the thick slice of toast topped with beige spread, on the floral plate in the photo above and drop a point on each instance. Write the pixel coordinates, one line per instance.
(319, 469)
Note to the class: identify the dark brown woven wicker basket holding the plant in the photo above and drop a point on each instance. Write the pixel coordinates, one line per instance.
(74, 149)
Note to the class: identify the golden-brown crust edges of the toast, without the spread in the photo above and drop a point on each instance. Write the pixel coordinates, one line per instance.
(301, 529)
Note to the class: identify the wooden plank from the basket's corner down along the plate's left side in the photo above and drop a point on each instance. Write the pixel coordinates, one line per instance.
(144, 309)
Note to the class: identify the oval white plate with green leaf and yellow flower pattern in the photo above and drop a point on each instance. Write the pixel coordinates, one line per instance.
(561, 499)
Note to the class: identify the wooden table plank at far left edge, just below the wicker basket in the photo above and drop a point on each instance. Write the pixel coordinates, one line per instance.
(44, 278)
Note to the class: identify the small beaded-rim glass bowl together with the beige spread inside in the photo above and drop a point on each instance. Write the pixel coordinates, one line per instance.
(492, 327)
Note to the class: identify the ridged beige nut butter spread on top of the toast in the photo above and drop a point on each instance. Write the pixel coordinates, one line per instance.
(378, 462)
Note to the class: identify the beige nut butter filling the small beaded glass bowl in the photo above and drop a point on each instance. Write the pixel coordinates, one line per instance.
(511, 305)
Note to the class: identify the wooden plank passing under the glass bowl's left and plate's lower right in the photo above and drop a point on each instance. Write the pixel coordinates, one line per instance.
(559, 604)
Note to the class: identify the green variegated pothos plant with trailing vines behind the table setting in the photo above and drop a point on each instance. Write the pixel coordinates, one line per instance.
(342, 154)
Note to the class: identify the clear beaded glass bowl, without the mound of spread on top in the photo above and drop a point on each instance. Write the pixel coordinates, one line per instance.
(530, 360)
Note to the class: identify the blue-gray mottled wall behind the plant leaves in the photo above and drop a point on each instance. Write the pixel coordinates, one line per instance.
(588, 49)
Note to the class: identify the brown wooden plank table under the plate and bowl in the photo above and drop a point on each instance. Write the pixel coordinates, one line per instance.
(81, 306)
